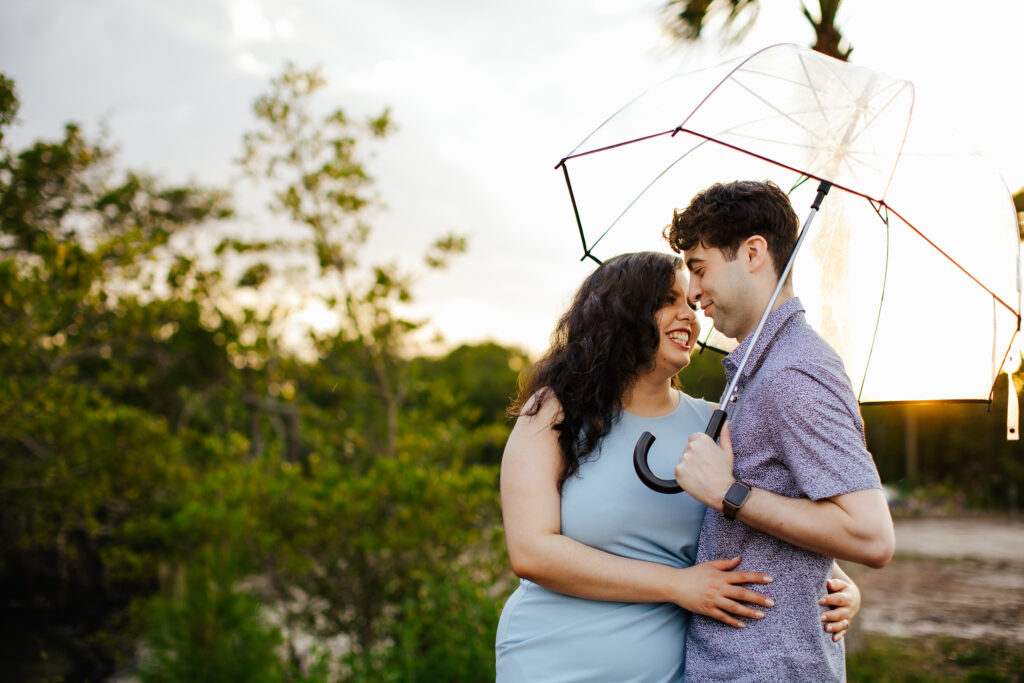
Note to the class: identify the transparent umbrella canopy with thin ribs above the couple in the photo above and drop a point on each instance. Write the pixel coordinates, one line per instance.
(912, 268)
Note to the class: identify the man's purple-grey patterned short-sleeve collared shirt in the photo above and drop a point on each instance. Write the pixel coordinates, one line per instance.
(796, 432)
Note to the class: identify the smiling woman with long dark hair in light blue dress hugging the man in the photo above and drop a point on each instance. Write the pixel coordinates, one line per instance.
(608, 568)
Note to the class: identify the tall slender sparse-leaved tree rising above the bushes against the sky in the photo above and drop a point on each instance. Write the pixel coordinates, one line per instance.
(323, 188)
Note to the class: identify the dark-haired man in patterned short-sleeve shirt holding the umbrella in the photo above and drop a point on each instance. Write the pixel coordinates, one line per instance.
(800, 488)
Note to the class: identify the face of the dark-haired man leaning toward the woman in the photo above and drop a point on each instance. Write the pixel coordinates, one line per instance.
(724, 289)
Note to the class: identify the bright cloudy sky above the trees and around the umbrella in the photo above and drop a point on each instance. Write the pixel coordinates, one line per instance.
(487, 98)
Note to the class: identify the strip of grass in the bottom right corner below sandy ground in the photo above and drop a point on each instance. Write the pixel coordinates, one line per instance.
(887, 659)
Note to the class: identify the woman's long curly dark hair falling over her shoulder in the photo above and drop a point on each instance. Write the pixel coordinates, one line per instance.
(599, 351)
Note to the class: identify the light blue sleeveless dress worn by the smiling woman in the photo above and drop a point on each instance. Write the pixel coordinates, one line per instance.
(551, 637)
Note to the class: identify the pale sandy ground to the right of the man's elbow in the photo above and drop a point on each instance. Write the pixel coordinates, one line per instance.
(961, 578)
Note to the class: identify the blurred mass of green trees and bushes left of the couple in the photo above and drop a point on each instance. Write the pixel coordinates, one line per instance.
(151, 422)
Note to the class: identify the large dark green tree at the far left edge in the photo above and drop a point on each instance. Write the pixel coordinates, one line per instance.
(94, 366)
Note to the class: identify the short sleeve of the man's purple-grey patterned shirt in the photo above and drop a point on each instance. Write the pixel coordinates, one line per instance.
(821, 434)
